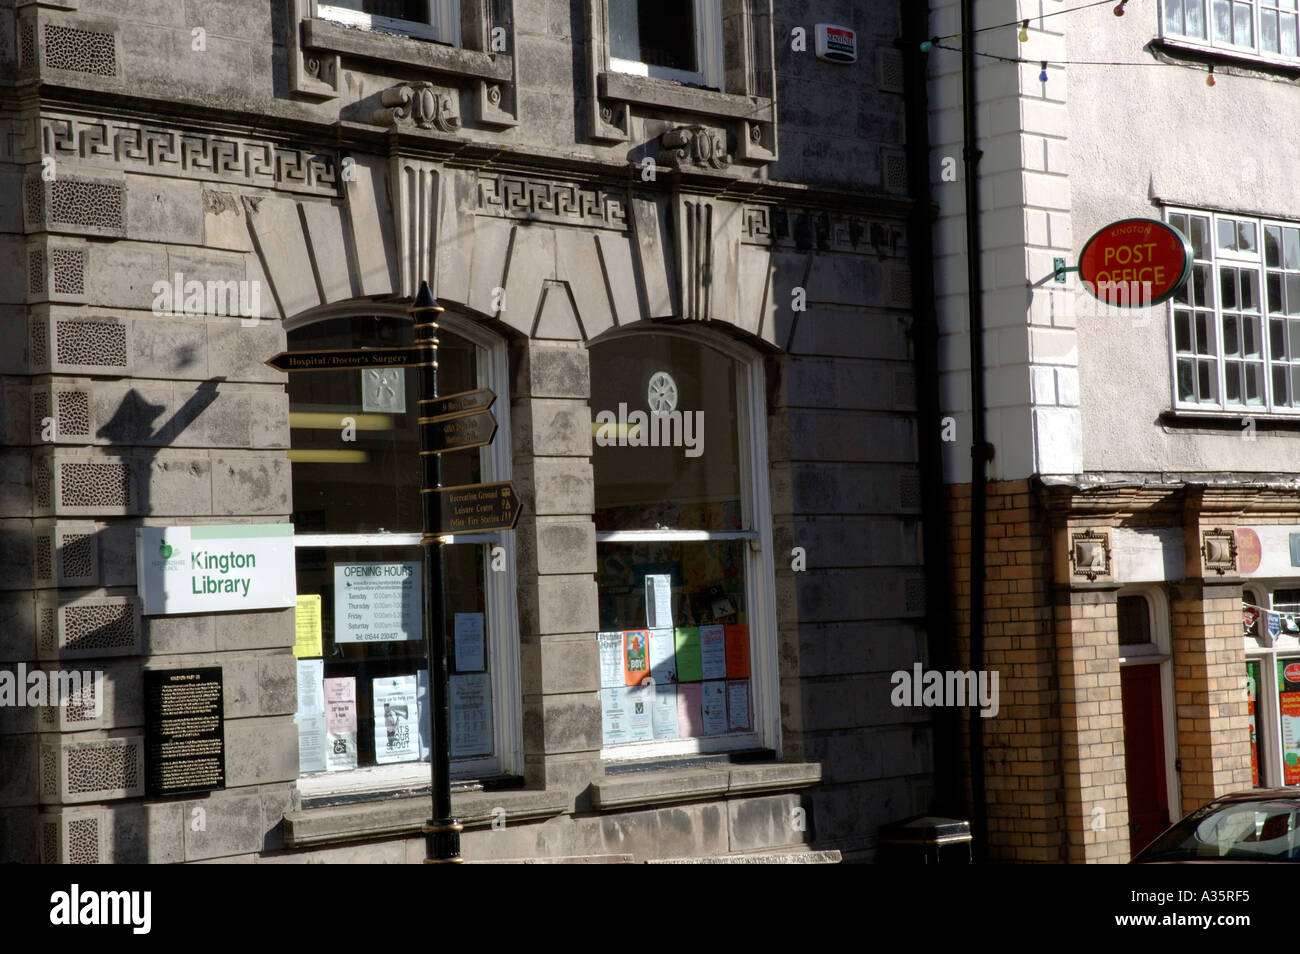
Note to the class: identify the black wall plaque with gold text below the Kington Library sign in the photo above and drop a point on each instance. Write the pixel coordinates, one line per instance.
(185, 736)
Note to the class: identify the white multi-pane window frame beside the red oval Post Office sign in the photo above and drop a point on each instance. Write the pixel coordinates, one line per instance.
(1258, 263)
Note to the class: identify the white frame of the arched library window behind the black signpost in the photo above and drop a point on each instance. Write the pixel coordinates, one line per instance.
(500, 588)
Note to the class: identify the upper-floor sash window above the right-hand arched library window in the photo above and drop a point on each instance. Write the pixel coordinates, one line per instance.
(673, 40)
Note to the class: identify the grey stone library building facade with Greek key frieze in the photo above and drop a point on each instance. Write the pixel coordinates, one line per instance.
(574, 209)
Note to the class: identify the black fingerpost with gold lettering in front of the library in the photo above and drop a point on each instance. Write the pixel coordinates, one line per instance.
(452, 423)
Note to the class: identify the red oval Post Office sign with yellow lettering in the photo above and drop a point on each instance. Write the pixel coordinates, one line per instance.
(1136, 263)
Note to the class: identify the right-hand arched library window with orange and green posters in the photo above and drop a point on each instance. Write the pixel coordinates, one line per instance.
(687, 610)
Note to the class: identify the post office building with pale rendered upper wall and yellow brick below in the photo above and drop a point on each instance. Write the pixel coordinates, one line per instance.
(1141, 506)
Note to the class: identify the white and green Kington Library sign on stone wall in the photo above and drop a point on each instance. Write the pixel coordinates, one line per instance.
(188, 570)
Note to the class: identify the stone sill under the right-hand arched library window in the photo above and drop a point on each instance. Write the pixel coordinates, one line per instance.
(661, 787)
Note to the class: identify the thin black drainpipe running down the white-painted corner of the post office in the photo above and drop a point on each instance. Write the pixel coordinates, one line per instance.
(981, 452)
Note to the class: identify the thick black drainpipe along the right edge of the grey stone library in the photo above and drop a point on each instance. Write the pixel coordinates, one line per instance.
(934, 523)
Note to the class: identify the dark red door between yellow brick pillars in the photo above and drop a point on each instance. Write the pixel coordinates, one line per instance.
(1145, 754)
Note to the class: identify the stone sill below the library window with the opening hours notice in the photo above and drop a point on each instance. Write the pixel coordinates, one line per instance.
(406, 817)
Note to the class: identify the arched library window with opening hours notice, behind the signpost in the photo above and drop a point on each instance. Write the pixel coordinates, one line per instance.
(363, 671)
